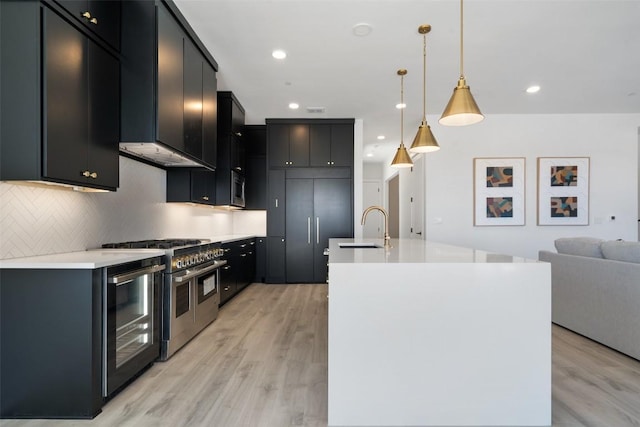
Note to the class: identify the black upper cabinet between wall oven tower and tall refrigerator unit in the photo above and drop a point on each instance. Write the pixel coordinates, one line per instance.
(256, 171)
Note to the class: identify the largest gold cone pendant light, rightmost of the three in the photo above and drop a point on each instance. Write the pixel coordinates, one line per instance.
(462, 108)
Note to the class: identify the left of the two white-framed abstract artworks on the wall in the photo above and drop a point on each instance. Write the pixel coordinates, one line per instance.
(499, 191)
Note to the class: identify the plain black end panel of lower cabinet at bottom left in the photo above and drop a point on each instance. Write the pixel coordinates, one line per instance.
(50, 343)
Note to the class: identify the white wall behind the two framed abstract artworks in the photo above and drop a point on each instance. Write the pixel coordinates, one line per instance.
(611, 141)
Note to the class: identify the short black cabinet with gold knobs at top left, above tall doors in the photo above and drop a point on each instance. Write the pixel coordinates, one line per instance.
(102, 17)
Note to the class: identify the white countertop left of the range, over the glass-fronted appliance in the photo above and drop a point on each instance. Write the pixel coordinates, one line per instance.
(90, 259)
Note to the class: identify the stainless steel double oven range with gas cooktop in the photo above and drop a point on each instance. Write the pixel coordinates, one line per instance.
(190, 294)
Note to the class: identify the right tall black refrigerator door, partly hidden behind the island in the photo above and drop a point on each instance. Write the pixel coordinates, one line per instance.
(332, 206)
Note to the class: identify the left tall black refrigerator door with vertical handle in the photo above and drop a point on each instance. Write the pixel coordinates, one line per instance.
(299, 230)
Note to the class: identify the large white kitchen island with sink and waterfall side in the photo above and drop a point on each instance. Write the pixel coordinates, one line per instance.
(427, 334)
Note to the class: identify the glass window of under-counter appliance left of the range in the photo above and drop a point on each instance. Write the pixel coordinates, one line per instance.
(134, 323)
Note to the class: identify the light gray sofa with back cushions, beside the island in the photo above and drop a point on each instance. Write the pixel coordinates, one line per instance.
(596, 290)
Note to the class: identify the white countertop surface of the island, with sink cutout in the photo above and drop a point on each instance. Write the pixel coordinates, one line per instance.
(413, 251)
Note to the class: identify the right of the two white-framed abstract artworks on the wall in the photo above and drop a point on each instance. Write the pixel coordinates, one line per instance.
(563, 190)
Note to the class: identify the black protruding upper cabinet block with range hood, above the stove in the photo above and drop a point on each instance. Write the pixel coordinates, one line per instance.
(169, 88)
